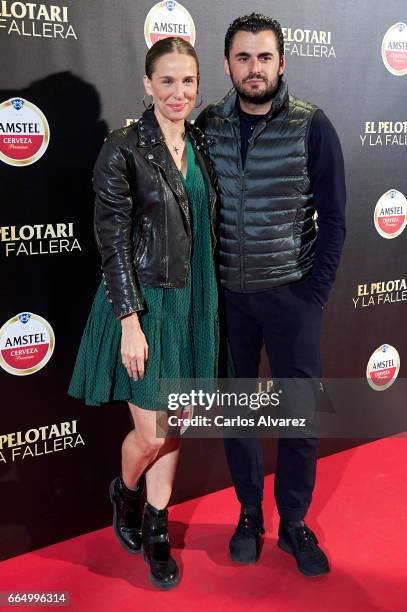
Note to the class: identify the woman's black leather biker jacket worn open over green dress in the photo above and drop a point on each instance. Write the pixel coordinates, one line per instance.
(142, 217)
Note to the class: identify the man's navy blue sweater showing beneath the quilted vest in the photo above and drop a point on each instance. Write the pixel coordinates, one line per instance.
(327, 175)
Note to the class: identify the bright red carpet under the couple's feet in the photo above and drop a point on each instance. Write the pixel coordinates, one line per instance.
(359, 514)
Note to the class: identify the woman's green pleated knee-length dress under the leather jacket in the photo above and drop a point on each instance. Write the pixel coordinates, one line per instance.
(180, 325)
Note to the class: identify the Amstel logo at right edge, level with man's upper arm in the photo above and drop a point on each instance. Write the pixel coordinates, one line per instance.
(390, 215)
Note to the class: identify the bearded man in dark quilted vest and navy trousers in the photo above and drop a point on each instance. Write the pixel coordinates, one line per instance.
(278, 160)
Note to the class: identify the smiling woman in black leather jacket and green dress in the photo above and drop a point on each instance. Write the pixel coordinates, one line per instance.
(155, 313)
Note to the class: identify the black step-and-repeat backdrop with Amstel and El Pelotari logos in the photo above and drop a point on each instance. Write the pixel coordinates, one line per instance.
(71, 72)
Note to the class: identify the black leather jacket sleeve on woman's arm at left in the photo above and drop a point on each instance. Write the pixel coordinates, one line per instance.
(113, 226)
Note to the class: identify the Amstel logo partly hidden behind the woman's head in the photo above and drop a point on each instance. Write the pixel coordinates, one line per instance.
(168, 18)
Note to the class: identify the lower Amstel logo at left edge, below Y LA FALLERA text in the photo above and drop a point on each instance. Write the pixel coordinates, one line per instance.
(27, 342)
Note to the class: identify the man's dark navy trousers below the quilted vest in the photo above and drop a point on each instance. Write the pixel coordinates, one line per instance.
(288, 320)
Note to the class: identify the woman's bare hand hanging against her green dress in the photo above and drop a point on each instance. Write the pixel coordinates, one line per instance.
(134, 347)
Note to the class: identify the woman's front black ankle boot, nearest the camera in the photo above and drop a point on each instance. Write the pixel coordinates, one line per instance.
(164, 573)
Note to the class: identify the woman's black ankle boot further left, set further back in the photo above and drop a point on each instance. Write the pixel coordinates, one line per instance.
(127, 513)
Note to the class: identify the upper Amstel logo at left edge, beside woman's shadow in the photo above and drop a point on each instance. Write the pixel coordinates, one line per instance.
(24, 132)
